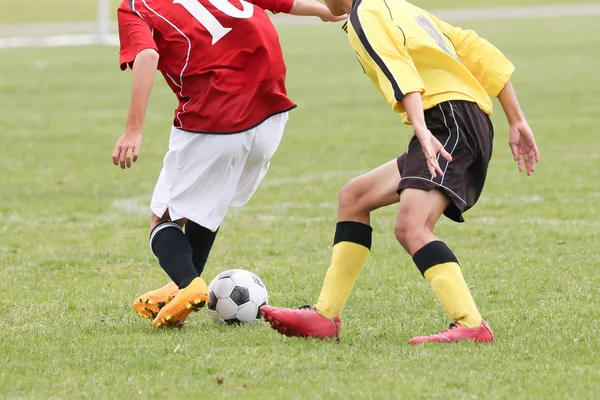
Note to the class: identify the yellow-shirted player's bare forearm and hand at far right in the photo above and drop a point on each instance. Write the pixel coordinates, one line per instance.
(521, 139)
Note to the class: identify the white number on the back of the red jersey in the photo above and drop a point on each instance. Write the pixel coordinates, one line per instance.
(209, 21)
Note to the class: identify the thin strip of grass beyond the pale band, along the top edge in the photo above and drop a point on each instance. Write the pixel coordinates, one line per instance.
(19, 11)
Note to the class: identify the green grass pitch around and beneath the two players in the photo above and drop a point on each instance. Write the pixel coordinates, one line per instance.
(74, 252)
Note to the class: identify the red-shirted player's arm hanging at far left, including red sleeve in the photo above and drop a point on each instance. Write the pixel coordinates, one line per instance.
(139, 52)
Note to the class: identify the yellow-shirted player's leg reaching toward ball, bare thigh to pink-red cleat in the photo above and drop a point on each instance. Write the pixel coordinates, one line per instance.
(352, 243)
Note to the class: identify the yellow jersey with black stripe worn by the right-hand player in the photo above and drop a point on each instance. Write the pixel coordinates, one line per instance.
(405, 49)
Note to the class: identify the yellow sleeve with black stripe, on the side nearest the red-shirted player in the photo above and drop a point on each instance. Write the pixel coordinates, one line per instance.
(380, 47)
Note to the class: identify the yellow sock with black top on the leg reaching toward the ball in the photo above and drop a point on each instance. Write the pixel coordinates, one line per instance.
(351, 247)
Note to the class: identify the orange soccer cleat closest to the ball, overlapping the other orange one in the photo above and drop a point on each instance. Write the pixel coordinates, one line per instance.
(188, 299)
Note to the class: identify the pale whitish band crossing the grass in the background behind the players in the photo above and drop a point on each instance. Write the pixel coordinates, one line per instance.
(81, 33)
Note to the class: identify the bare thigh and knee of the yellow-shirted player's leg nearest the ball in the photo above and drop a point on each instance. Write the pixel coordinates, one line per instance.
(375, 189)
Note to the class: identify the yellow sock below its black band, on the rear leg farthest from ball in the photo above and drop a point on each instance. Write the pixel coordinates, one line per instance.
(450, 288)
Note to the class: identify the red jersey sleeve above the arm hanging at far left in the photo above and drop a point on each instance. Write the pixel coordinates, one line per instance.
(135, 35)
